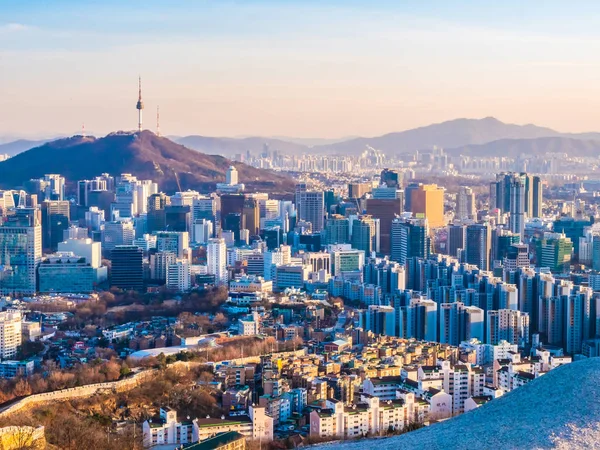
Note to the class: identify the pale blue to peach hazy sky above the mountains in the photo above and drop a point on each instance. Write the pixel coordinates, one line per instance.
(297, 68)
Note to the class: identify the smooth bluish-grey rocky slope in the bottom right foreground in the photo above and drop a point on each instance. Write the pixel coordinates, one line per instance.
(559, 410)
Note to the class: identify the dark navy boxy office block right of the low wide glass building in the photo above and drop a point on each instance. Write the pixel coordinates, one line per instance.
(127, 270)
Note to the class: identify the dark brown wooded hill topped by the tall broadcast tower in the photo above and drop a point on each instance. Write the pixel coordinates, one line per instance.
(144, 155)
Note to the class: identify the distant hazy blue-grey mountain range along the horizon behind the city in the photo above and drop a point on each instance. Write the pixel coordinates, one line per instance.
(477, 137)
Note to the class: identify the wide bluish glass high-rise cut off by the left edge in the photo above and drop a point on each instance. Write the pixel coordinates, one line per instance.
(20, 253)
